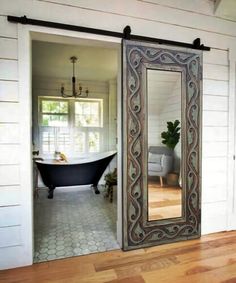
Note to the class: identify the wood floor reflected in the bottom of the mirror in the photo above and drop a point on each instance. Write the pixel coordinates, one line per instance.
(163, 202)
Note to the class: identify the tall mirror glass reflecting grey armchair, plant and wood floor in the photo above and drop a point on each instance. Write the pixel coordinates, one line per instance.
(164, 144)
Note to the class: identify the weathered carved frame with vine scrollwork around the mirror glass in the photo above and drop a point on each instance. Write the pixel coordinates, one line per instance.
(137, 56)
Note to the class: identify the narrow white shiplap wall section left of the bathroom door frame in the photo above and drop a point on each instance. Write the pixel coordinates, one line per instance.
(10, 202)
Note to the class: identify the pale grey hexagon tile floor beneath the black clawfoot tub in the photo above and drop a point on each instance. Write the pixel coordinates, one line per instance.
(75, 222)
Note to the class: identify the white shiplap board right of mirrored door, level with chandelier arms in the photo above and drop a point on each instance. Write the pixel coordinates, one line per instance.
(215, 87)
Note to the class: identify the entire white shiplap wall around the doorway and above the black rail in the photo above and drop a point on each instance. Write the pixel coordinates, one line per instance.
(175, 20)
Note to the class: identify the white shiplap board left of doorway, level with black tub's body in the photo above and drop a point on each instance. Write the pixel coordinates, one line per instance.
(9, 175)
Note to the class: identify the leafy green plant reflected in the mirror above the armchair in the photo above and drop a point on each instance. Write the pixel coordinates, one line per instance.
(172, 135)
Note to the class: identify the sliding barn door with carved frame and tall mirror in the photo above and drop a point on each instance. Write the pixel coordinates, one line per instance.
(162, 144)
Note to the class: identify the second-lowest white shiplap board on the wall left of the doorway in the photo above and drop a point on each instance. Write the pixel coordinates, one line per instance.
(10, 236)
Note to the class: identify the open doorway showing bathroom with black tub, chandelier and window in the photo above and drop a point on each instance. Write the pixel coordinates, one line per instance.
(72, 131)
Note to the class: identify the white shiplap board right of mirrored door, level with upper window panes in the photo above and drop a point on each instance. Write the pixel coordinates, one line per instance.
(215, 103)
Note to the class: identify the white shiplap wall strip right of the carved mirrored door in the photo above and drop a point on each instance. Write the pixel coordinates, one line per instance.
(215, 140)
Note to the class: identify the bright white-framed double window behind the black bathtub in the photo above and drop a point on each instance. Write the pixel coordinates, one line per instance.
(69, 125)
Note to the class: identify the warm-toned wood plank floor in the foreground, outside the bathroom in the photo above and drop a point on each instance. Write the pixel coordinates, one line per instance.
(211, 259)
